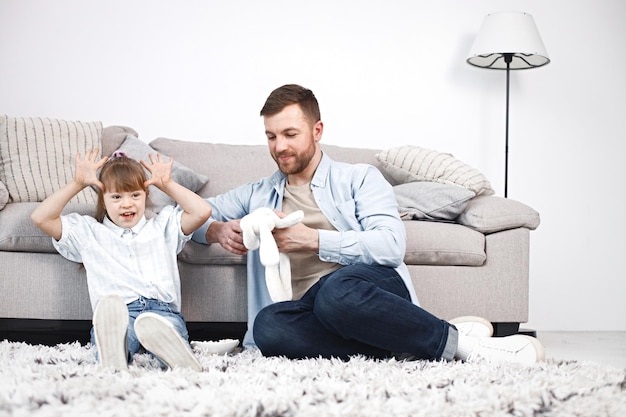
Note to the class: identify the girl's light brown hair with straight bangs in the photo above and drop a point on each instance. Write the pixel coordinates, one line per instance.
(121, 174)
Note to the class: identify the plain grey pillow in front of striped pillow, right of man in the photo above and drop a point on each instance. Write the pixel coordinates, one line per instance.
(431, 200)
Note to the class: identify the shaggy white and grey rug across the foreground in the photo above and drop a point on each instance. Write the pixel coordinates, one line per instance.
(65, 380)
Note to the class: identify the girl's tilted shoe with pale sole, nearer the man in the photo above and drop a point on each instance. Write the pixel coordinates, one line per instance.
(161, 338)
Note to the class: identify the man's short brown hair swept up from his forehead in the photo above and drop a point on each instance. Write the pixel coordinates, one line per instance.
(292, 94)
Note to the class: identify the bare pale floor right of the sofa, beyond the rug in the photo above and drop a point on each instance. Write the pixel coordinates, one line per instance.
(608, 348)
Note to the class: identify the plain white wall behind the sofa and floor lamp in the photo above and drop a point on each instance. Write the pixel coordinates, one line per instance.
(386, 73)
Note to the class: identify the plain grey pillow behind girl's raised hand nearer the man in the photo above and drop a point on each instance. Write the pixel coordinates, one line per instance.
(139, 150)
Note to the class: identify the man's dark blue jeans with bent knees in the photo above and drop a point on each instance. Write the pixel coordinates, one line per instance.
(356, 310)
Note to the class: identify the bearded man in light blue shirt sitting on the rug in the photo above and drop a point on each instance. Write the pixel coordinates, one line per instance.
(352, 292)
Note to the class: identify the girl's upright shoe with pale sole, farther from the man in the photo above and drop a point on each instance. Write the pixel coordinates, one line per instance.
(110, 323)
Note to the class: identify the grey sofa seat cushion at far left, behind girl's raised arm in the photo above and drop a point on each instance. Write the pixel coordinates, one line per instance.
(19, 234)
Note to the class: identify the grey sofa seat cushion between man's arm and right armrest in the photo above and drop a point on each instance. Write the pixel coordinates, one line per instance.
(436, 243)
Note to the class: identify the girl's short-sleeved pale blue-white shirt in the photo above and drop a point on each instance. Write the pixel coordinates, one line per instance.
(142, 265)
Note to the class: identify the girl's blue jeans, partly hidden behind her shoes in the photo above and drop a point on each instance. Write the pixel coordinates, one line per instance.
(143, 305)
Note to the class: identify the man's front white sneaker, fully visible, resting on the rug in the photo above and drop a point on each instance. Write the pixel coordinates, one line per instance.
(516, 348)
